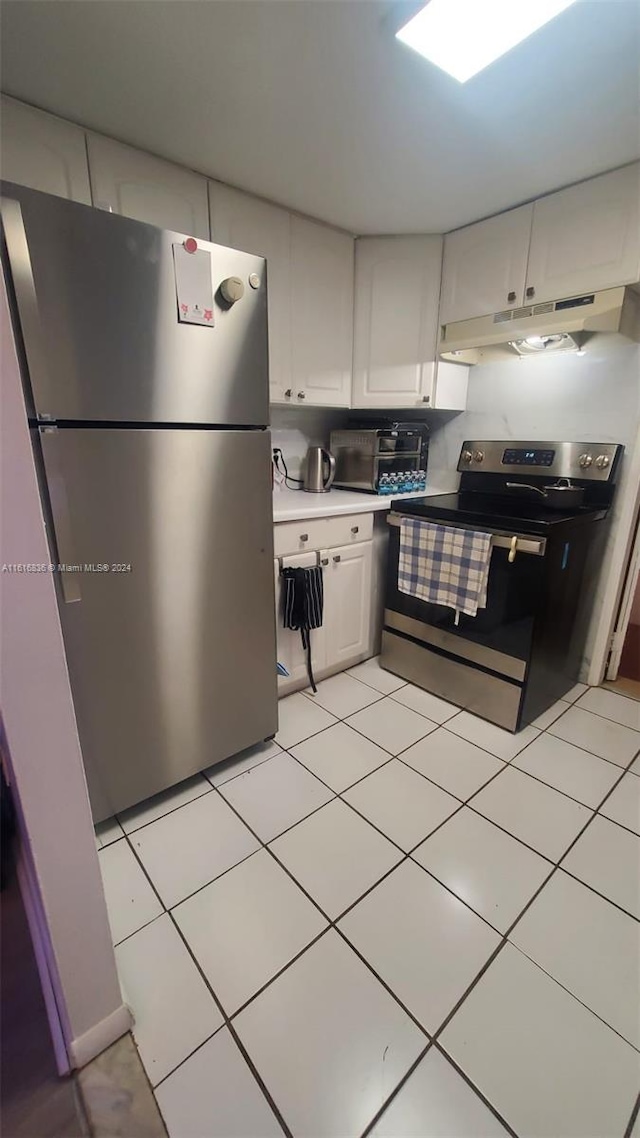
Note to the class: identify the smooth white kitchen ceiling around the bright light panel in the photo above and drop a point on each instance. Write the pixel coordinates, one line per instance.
(316, 105)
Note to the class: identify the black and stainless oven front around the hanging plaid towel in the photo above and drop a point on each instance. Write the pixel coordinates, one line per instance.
(498, 641)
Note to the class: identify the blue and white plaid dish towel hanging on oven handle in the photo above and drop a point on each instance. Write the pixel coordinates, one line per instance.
(445, 566)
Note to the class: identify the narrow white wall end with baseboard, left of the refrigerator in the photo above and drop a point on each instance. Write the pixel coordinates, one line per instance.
(46, 765)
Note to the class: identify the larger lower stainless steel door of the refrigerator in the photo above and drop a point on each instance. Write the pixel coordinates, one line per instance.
(170, 644)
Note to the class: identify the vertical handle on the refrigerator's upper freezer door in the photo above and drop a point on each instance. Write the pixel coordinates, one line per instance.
(20, 259)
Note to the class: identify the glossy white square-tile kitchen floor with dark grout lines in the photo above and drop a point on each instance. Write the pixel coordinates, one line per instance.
(397, 921)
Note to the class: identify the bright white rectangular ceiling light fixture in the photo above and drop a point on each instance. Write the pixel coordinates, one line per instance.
(464, 37)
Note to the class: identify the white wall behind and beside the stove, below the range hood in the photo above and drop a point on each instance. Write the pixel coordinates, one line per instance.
(595, 398)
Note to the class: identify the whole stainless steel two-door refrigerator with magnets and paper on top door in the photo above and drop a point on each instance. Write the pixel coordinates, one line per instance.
(146, 378)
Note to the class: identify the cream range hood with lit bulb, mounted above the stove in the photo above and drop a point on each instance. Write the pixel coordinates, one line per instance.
(544, 328)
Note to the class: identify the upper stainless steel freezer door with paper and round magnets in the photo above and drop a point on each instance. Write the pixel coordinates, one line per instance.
(99, 303)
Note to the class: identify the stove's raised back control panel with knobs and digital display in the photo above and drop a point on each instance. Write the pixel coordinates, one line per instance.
(593, 461)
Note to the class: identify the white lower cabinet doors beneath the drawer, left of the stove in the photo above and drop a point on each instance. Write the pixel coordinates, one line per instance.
(346, 636)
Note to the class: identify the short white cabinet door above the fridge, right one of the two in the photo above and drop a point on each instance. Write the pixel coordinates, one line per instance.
(146, 188)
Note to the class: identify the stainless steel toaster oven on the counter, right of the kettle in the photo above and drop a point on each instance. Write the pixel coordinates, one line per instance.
(389, 459)
